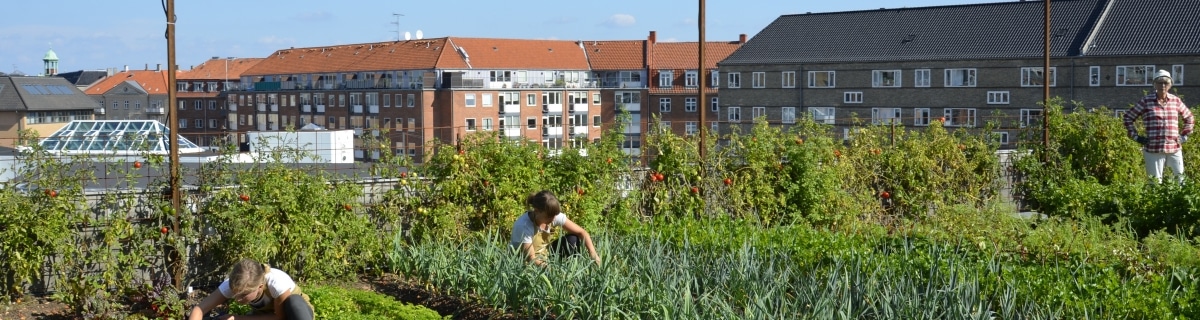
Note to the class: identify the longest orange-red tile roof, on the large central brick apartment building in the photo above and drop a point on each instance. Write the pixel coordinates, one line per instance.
(425, 55)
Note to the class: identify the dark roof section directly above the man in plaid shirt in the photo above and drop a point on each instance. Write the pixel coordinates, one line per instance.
(1142, 28)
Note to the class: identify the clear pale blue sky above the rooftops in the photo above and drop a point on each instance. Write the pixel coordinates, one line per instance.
(99, 35)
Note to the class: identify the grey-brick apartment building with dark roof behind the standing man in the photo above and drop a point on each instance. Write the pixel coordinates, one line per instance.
(969, 64)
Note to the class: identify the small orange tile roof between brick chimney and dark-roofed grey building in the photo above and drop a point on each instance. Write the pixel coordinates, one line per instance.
(682, 56)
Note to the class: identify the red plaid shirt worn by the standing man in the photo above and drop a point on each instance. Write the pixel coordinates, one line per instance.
(1162, 123)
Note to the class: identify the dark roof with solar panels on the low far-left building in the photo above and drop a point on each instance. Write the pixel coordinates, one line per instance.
(49, 94)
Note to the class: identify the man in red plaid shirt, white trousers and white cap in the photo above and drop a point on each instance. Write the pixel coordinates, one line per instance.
(1161, 113)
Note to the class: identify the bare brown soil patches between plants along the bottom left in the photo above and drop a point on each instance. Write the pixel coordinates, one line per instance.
(389, 285)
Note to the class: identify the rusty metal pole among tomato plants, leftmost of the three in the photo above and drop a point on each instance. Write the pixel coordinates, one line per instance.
(173, 140)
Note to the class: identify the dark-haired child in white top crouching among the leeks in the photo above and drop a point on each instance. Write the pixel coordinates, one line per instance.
(532, 231)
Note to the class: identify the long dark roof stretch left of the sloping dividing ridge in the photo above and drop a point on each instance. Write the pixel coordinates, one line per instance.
(999, 31)
